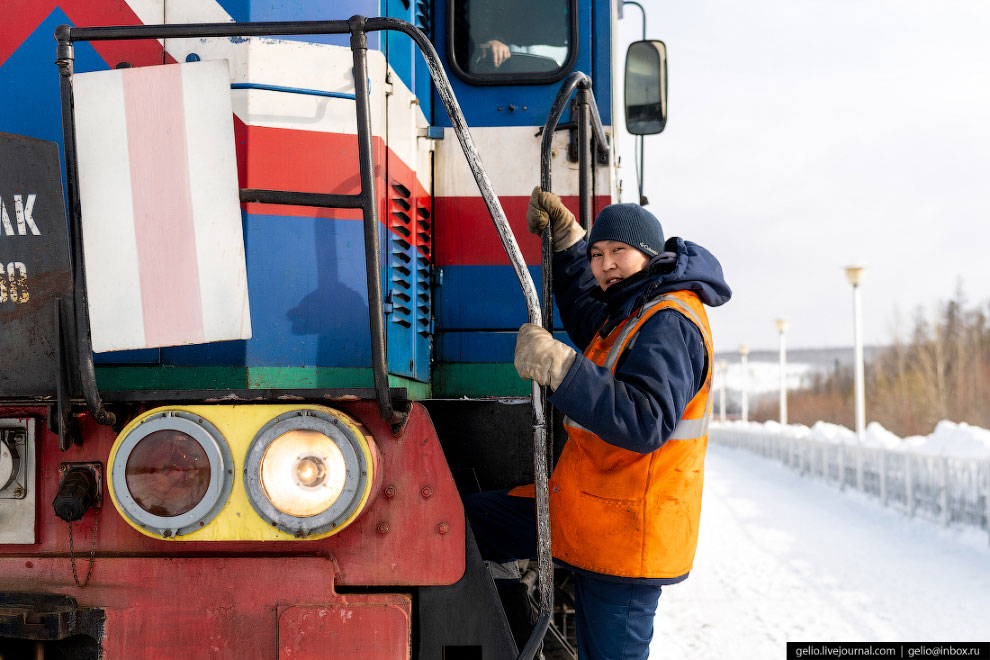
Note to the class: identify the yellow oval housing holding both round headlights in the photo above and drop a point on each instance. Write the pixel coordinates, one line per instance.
(256, 472)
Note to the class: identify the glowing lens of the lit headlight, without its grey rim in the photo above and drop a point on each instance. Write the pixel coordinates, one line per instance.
(302, 472)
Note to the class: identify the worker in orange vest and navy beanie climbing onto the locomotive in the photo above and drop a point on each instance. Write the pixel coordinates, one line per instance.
(625, 495)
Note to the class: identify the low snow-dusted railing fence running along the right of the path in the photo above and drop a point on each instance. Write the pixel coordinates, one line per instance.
(946, 489)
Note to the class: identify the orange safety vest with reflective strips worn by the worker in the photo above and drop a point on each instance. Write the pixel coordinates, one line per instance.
(619, 512)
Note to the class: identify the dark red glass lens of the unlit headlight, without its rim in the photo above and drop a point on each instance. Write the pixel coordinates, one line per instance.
(167, 473)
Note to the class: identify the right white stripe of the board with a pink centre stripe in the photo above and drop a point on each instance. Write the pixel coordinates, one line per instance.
(213, 191)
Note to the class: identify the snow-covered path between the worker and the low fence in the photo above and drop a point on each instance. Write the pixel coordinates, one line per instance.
(782, 558)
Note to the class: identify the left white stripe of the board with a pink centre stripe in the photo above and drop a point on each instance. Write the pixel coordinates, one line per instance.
(109, 241)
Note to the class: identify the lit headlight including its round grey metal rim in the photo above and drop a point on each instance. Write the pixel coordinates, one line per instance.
(309, 472)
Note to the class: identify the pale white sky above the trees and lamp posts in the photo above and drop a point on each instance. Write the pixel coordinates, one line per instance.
(807, 135)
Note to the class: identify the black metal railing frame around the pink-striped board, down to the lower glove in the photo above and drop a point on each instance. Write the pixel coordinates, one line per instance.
(357, 27)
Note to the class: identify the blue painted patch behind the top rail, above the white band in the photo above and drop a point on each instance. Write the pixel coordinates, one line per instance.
(243, 11)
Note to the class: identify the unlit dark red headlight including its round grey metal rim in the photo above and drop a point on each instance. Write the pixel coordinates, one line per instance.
(172, 473)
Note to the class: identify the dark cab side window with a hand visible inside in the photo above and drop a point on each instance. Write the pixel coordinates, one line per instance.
(512, 41)
